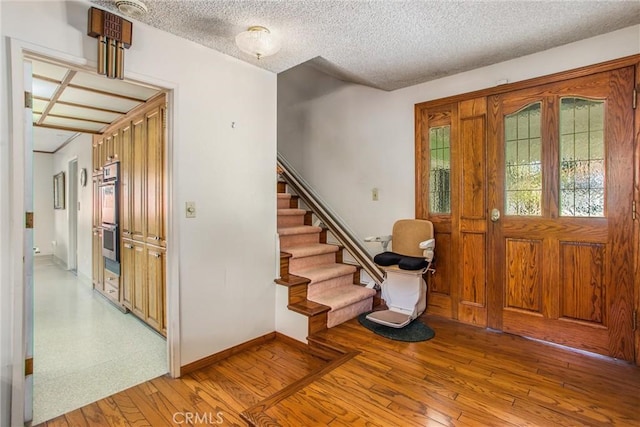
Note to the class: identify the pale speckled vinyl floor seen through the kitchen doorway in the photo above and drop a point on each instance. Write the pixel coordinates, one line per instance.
(85, 349)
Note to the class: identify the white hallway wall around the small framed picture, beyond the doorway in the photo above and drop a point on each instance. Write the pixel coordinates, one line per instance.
(80, 149)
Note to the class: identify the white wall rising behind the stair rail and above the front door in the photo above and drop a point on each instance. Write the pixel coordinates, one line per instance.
(346, 139)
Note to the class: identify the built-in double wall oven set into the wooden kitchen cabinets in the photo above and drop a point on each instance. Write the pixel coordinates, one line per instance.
(109, 210)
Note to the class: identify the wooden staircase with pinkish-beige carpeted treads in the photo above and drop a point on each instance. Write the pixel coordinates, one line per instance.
(320, 285)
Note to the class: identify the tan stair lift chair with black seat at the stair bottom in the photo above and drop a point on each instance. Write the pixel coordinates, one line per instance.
(404, 289)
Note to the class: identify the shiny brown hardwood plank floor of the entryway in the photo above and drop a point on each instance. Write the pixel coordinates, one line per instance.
(464, 376)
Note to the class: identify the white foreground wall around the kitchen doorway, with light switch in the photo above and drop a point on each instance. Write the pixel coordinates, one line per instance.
(226, 255)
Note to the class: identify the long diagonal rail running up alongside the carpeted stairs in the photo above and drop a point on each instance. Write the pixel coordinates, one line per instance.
(329, 218)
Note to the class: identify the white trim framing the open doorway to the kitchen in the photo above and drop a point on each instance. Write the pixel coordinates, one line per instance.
(14, 228)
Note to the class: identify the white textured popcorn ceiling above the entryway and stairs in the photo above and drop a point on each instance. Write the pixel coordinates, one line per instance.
(390, 44)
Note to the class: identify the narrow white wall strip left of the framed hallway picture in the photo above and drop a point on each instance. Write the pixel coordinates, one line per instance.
(43, 230)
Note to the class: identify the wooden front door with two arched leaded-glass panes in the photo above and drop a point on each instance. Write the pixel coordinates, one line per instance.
(560, 200)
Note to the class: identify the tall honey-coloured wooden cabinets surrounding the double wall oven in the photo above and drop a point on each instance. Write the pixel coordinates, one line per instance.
(138, 142)
